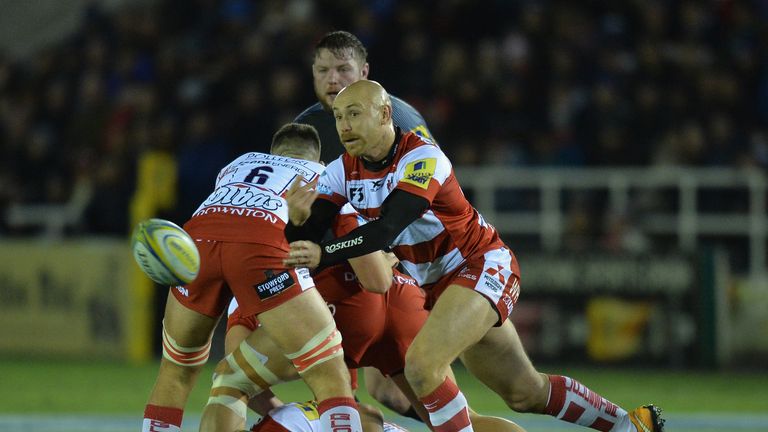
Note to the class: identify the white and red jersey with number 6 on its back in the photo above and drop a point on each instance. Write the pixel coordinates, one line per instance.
(247, 204)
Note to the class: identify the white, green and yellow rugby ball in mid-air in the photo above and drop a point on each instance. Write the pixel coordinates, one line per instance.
(165, 252)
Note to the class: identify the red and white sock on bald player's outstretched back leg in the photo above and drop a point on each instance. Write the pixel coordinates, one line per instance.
(571, 401)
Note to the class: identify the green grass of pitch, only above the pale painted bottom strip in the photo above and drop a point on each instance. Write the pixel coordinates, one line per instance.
(61, 386)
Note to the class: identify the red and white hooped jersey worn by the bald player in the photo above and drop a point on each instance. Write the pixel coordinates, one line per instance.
(447, 234)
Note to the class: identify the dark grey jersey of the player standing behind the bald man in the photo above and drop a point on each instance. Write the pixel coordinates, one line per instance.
(404, 116)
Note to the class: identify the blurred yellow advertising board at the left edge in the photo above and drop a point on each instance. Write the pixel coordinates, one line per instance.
(71, 299)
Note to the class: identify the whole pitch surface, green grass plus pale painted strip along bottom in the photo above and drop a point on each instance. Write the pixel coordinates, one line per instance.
(76, 396)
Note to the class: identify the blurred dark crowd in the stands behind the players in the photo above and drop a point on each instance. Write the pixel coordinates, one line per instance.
(523, 83)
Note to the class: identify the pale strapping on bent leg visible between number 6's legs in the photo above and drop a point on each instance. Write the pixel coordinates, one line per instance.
(247, 372)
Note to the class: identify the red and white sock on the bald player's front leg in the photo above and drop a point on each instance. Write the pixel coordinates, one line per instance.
(447, 407)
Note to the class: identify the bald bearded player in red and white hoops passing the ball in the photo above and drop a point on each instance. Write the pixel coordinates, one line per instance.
(405, 186)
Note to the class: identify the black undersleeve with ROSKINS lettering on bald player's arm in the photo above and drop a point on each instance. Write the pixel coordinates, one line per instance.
(398, 211)
